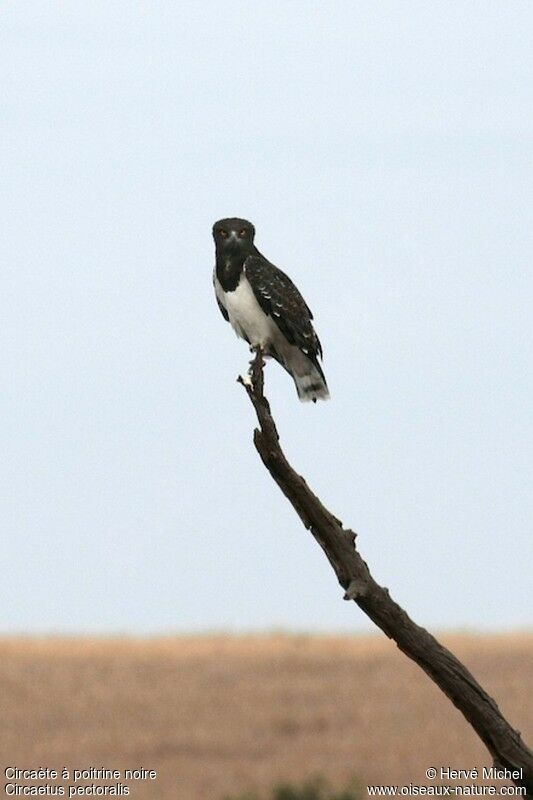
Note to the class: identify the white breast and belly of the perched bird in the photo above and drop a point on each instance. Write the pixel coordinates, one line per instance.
(246, 315)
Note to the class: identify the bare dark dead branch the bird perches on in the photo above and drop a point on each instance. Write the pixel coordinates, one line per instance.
(338, 543)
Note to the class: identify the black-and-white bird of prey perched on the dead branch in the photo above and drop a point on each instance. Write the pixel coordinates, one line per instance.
(264, 307)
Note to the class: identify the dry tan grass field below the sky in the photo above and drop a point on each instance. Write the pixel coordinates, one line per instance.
(216, 715)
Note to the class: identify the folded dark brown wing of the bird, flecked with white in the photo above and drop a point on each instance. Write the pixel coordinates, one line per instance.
(278, 296)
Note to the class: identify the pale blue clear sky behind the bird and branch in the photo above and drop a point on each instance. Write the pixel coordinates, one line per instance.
(383, 151)
